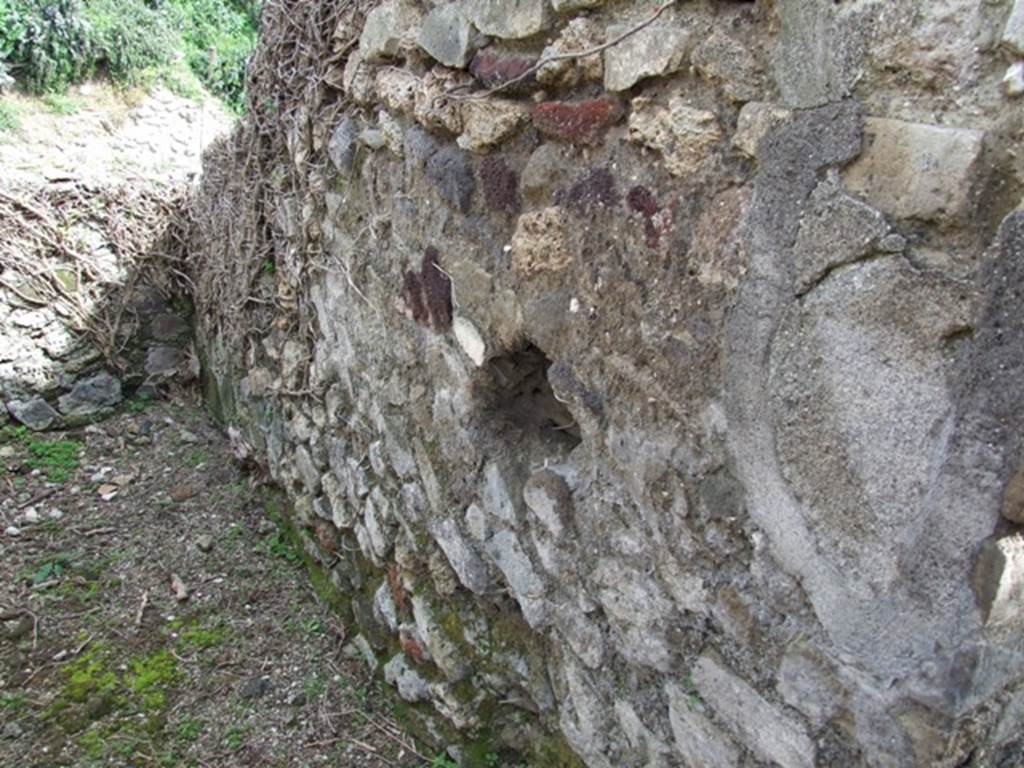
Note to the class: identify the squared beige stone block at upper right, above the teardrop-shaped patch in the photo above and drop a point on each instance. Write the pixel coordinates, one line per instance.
(917, 172)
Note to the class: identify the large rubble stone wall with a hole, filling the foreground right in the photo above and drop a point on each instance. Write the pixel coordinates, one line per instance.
(664, 400)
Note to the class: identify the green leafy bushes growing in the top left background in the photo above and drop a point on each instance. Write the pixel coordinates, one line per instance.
(49, 46)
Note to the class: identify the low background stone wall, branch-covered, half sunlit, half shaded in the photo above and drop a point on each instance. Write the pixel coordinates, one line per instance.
(91, 309)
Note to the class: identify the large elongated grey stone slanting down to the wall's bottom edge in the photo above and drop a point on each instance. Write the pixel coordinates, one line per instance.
(773, 736)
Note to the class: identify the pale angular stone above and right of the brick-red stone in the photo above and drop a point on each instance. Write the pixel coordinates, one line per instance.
(658, 50)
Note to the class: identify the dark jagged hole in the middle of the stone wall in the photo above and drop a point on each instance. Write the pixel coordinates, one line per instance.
(519, 406)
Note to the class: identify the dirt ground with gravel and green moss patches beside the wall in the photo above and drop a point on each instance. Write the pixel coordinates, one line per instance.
(153, 615)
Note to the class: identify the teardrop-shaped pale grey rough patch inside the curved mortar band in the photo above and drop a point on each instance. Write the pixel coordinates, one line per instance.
(855, 326)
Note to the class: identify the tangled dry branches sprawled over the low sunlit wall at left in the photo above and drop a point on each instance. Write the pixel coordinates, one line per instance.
(75, 248)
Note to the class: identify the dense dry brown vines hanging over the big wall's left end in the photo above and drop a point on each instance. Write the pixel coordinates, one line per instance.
(254, 236)
